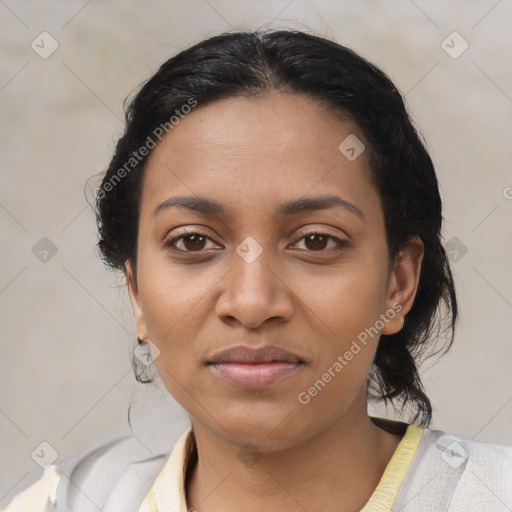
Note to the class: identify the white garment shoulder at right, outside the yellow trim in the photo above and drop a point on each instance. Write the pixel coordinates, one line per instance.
(456, 474)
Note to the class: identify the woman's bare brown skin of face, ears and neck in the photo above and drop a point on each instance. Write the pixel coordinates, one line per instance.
(251, 155)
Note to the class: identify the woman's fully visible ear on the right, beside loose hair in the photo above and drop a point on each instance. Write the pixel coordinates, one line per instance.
(403, 283)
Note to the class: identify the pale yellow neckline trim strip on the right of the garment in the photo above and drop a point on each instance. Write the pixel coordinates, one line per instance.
(385, 493)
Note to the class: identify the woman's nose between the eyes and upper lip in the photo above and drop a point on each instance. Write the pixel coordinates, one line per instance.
(253, 293)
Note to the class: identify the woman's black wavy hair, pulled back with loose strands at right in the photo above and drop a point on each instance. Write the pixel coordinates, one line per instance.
(256, 63)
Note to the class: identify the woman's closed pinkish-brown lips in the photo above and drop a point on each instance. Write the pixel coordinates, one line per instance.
(250, 368)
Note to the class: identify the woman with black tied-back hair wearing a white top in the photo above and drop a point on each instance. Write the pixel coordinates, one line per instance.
(278, 222)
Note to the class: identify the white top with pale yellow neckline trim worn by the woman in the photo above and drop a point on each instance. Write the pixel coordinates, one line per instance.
(430, 471)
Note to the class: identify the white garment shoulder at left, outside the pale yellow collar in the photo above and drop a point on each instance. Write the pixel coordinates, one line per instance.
(122, 470)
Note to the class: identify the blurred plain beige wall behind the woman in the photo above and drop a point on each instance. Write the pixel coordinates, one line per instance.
(66, 327)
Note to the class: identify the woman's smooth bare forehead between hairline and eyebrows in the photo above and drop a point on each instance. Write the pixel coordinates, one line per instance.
(256, 151)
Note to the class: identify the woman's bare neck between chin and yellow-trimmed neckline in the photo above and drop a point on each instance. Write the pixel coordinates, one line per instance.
(334, 470)
